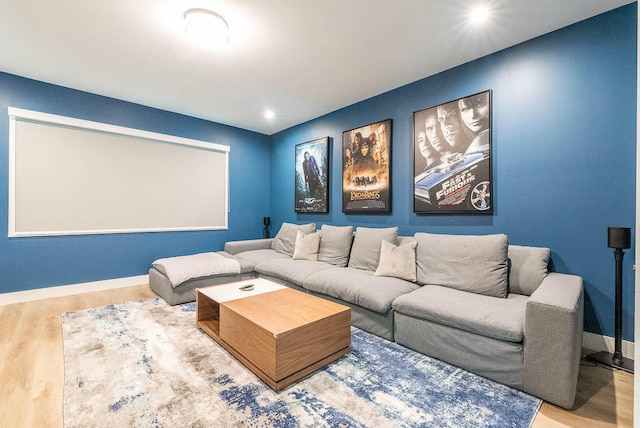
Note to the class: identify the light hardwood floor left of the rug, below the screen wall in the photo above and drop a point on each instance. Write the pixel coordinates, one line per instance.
(31, 359)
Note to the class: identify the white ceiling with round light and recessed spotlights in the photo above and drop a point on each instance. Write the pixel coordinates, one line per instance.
(300, 58)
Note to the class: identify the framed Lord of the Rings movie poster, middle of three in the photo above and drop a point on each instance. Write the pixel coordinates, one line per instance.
(366, 164)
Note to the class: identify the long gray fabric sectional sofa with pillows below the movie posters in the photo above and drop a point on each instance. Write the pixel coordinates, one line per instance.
(473, 301)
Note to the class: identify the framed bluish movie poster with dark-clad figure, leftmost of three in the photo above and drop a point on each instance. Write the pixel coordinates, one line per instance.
(312, 176)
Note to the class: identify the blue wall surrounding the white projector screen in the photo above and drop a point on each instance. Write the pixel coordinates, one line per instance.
(28, 263)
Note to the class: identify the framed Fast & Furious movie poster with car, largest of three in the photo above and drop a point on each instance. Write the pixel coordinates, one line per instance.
(452, 157)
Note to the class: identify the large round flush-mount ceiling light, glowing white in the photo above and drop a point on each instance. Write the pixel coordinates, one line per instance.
(206, 28)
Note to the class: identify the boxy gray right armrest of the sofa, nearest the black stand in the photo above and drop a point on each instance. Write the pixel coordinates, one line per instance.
(553, 339)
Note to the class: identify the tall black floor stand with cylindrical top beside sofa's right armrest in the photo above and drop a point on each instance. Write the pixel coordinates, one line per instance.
(619, 239)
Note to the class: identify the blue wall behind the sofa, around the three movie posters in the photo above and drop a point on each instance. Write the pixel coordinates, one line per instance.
(564, 144)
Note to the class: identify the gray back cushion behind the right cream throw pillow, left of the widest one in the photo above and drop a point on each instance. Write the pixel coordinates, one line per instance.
(365, 252)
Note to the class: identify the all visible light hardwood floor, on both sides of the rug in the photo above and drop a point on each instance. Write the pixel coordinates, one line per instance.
(32, 372)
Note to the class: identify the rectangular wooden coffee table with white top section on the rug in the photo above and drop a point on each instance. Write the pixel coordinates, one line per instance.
(280, 334)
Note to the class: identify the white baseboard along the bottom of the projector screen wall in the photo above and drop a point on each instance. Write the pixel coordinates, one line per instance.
(68, 290)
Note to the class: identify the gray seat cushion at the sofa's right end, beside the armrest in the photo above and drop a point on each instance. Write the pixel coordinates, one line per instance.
(501, 319)
